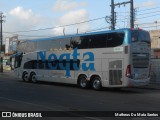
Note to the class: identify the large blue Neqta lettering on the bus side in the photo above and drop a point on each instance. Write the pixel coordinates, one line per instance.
(88, 57)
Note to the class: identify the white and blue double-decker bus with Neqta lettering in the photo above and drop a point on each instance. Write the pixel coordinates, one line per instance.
(114, 59)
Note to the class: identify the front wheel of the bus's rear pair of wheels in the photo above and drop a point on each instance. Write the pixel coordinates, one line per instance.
(83, 82)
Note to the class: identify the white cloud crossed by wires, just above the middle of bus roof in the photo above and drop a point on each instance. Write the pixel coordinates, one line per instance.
(71, 18)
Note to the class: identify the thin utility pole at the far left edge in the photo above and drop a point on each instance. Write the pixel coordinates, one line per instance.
(1, 42)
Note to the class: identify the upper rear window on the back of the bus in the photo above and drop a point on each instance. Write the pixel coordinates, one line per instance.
(140, 36)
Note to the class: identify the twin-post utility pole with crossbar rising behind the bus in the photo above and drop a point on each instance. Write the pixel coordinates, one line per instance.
(113, 5)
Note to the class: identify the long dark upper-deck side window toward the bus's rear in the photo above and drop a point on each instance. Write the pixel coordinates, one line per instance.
(98, 41)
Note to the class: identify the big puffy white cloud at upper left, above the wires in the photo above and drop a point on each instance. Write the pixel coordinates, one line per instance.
(23, 19)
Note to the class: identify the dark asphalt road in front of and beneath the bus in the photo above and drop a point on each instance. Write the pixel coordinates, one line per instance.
(16, 95)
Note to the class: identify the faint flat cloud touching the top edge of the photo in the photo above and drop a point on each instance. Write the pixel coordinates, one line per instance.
(65, 5)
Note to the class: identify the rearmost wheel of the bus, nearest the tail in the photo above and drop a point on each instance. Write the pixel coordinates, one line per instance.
(96, 83)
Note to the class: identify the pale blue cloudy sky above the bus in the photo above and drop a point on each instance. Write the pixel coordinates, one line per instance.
(22, 17)
